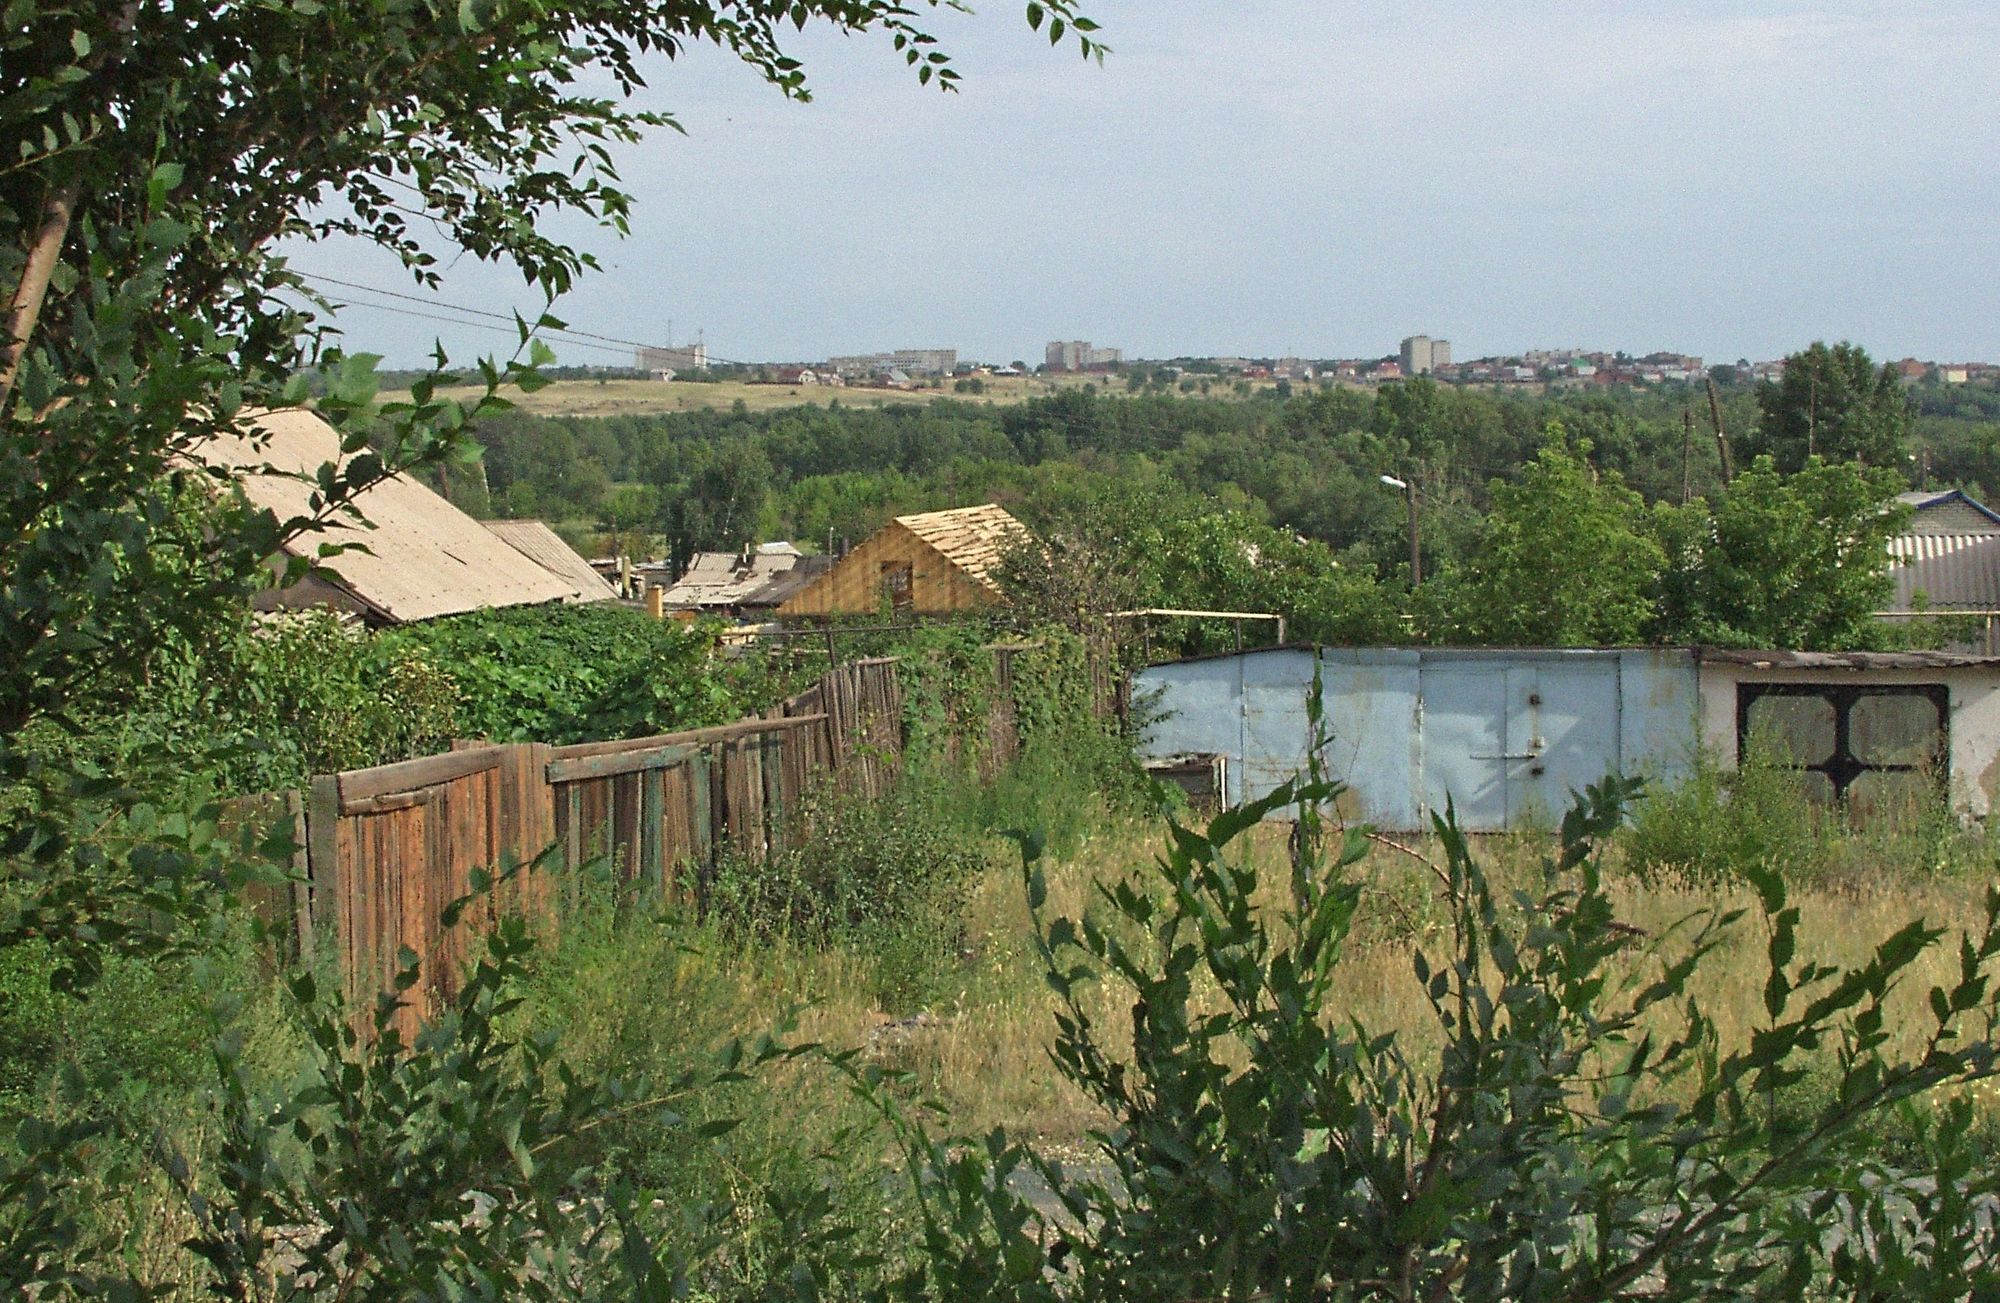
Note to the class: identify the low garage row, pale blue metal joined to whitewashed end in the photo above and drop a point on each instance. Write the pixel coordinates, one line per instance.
(1507, 734)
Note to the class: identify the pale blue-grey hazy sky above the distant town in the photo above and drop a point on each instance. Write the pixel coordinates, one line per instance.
(1307, 177)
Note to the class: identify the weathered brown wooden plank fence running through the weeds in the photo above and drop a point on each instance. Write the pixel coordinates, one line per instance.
(389, 848)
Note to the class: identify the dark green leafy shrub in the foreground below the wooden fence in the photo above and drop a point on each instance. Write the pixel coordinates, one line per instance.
(465, 1160)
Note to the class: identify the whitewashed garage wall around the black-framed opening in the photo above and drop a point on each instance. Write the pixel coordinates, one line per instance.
(1973, 724)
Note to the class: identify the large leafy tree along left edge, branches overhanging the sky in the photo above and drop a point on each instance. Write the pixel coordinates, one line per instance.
(155, 159)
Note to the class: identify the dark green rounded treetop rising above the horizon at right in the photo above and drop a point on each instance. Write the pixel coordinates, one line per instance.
(1835, 405)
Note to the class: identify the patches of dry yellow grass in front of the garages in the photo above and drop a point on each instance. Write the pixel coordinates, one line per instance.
(985, 1050)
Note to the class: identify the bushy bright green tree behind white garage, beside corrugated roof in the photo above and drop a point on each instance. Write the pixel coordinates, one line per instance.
(1785, 561)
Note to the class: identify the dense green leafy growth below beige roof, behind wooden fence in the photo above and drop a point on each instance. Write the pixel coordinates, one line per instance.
(585, 672)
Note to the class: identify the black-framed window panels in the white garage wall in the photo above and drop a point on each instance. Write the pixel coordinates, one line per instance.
(1865, 746)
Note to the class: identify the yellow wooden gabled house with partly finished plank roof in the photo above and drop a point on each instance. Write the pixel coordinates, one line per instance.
(929, 565)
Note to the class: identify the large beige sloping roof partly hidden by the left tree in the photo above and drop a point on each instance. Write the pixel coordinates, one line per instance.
(425, 557)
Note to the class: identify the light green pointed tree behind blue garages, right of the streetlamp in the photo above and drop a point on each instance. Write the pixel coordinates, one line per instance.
(1565, 559)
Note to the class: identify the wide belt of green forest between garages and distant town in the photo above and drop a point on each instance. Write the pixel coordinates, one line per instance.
(1285, 501)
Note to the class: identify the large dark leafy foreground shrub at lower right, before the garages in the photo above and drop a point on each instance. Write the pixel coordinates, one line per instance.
(1585, 1132)
